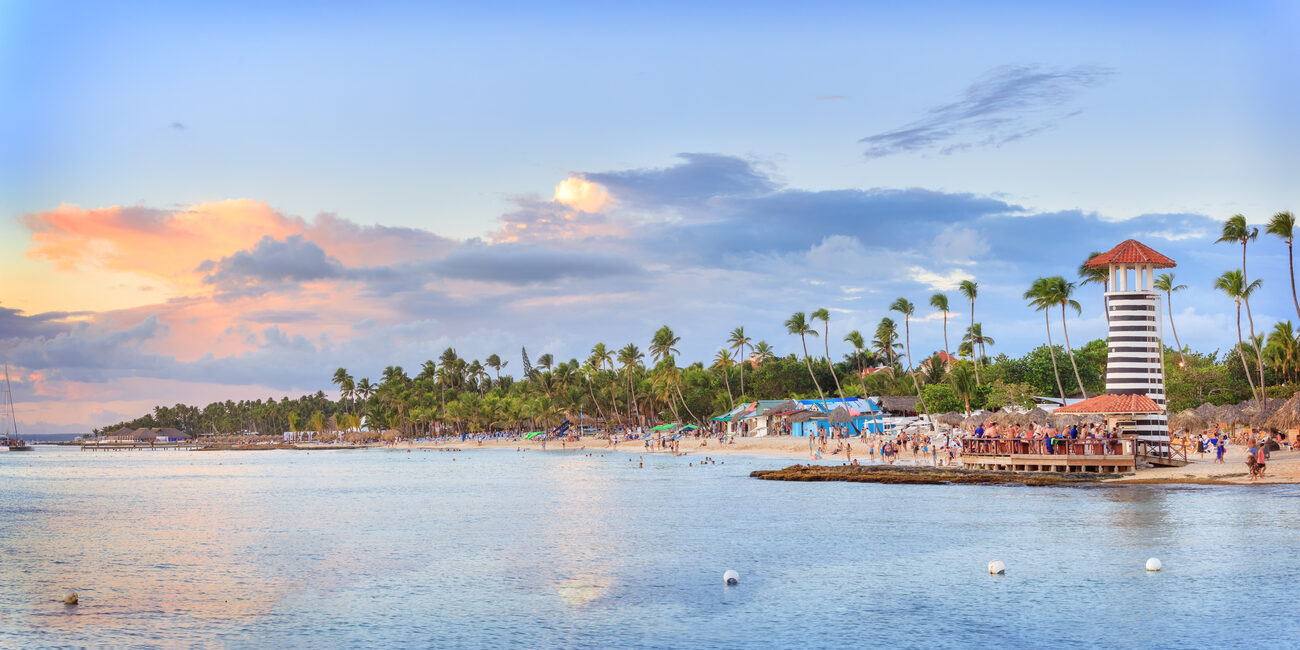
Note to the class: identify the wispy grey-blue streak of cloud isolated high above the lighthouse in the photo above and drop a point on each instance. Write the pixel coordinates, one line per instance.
(1004, 106)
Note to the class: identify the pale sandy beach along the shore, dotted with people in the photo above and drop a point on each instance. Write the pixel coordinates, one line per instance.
(1284, 466)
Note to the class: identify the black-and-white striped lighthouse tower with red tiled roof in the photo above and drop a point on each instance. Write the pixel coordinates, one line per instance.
(1136, 358)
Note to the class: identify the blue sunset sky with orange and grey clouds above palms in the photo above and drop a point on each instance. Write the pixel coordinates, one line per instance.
(228, 201)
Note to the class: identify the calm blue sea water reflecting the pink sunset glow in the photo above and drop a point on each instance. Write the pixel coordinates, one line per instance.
(496, 549)
